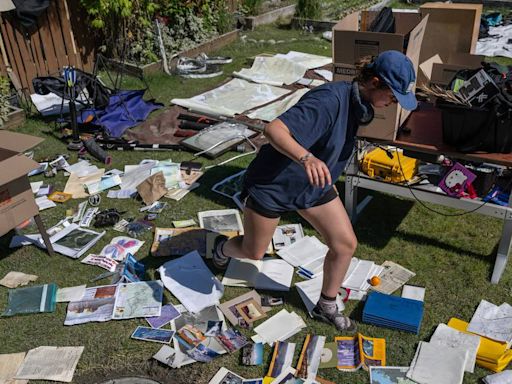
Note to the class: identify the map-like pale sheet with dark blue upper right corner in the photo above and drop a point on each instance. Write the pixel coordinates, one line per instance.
(141, 299)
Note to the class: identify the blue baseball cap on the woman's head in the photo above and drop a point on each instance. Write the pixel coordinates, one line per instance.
(397, 71)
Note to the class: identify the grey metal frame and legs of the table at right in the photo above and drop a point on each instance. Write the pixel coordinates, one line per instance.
(353, 183)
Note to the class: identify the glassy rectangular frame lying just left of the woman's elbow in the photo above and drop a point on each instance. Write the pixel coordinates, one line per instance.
(218, 139)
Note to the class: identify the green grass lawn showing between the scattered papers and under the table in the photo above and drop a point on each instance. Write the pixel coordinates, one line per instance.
(453, 257)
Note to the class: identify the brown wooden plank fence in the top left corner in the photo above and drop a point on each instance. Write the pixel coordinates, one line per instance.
(60, 38)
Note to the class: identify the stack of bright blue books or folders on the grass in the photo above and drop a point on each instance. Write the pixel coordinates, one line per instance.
(393, 312)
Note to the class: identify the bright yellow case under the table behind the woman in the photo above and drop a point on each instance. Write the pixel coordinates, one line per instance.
(377, 164)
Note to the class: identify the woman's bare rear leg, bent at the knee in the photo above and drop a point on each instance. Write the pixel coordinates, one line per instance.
(258, 232)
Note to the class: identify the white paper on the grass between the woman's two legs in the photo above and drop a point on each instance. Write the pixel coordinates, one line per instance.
(303, 251)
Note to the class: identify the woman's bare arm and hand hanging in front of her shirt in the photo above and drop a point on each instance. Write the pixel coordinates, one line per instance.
(282, 140)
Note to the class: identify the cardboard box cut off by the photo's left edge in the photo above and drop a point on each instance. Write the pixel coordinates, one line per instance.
(17, 202)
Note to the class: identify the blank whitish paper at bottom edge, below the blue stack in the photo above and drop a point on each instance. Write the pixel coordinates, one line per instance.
(437, 364)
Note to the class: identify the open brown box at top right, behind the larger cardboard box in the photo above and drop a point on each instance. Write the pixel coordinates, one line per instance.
(452, 27)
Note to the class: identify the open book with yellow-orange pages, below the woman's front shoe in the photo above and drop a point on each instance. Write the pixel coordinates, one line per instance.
(359, 351)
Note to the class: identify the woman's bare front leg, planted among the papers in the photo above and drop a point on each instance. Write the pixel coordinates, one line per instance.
(332, 222)
